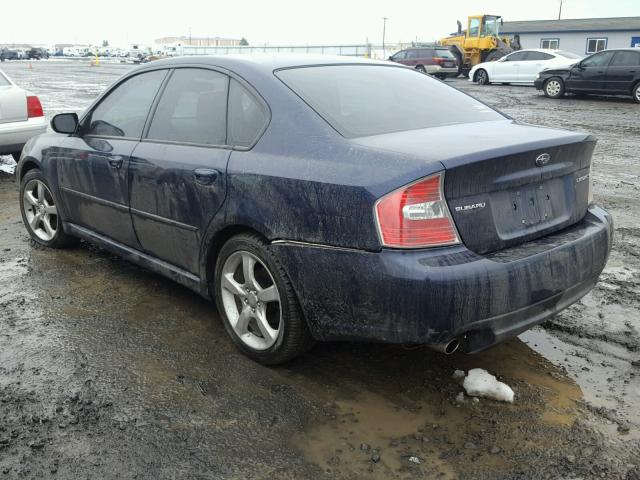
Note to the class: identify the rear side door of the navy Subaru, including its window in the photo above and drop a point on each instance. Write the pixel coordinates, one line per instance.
(178, 171)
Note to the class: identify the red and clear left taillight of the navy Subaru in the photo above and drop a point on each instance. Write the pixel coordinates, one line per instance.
(416, 216)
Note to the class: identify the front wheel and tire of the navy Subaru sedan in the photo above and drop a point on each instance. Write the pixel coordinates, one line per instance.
(40, 212)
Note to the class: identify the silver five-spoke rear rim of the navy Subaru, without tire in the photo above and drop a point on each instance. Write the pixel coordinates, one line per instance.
(251, 300)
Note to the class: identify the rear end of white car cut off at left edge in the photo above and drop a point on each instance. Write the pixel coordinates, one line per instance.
(21, 117)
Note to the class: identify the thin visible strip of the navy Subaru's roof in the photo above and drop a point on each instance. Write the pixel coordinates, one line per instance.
(266, 62)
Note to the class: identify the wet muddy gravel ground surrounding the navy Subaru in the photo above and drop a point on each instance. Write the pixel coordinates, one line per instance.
(109, 371)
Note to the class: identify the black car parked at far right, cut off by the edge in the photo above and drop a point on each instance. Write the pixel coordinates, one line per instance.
(610, 72)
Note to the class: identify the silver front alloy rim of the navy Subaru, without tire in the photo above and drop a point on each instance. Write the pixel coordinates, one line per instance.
(40, 210)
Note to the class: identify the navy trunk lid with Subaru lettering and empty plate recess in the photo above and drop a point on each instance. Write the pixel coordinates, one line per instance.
(505, 183)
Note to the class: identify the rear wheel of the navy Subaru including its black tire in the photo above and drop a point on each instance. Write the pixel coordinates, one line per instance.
(257, 303)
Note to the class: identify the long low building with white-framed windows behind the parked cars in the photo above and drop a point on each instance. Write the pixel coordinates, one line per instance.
(581, 36)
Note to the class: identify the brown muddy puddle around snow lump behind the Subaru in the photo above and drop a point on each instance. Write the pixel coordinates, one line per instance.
(416, 415)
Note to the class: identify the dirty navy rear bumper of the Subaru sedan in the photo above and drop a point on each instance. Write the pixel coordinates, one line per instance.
(432, 296)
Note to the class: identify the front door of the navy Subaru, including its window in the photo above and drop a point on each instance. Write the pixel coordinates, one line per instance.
(92, 169)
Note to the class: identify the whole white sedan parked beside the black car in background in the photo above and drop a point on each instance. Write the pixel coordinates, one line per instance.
(522, 66)
